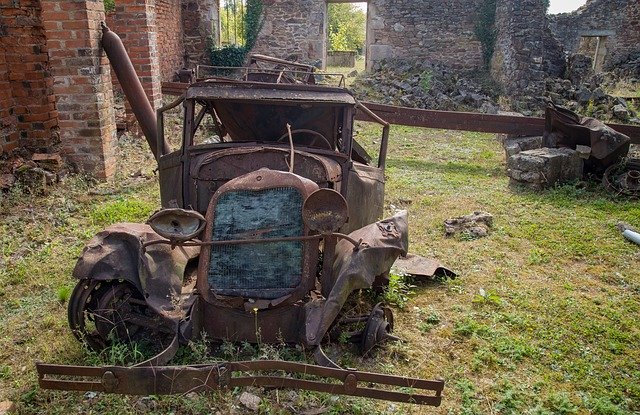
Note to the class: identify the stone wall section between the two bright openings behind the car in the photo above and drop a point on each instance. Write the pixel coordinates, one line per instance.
(294, 30)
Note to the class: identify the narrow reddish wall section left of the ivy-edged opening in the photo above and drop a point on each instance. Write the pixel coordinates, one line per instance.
(200, 25)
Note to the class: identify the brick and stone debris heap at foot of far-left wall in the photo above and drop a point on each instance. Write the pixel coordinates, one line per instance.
(34, 173)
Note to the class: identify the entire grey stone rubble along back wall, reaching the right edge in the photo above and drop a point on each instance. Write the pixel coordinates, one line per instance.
(430, 85)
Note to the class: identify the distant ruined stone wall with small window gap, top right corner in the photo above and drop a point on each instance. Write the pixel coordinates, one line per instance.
(618, 19)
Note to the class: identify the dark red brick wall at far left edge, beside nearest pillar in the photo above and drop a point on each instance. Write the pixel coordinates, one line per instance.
(27, 106)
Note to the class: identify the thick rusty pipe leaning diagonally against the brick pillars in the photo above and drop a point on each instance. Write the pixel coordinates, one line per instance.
(132, 88)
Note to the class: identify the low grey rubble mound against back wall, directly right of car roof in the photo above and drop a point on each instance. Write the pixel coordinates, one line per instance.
(427, 85)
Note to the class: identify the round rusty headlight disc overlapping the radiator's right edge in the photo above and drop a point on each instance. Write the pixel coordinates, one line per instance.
(325, 211)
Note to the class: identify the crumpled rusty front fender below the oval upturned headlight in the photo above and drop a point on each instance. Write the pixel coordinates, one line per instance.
(117, 253)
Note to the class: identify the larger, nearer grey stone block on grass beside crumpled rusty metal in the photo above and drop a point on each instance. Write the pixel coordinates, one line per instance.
(544, 167)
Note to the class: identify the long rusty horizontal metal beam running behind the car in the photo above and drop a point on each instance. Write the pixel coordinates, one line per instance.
(449, 120)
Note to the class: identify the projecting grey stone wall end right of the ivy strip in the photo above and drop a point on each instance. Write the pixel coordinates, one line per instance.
(518, 60)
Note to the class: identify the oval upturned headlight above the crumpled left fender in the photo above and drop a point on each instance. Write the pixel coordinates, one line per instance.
(177, 224)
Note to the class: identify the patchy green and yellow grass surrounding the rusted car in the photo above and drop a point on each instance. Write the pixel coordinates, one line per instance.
(542, 318)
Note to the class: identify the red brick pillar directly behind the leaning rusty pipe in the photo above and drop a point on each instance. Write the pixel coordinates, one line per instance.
(135, 22)
